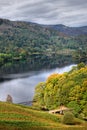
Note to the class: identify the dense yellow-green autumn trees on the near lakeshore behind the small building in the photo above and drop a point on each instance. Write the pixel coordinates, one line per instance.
(69, 89)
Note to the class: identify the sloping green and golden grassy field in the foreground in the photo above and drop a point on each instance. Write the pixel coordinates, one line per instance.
(16, 117)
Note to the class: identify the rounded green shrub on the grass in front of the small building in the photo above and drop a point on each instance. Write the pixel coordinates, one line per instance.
(68, 118)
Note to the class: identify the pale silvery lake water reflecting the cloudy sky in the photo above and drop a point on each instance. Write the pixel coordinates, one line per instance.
(21, 87)
